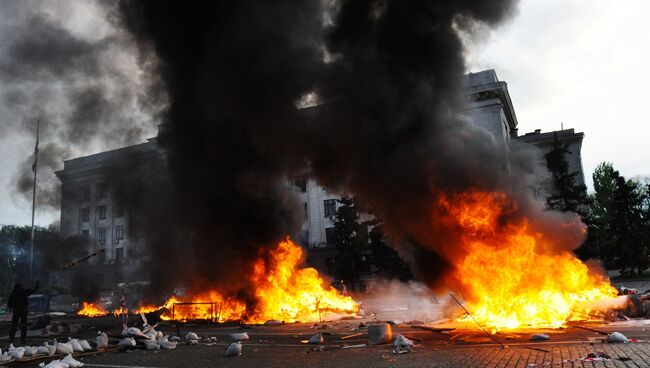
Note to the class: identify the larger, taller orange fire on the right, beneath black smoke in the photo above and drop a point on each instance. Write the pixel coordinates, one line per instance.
(511, 275)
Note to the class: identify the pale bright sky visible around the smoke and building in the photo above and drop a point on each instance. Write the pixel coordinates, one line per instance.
(580, 62)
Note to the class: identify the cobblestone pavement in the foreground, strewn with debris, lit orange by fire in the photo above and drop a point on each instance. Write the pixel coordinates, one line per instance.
(281, 346)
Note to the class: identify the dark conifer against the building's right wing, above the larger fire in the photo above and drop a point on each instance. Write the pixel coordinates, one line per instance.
(566, 194)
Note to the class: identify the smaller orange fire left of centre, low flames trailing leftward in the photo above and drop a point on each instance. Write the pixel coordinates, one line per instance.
(284, 291)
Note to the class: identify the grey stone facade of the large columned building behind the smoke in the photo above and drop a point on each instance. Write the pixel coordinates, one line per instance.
(89, 208)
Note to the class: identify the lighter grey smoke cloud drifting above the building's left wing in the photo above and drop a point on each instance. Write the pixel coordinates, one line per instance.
(80, 80)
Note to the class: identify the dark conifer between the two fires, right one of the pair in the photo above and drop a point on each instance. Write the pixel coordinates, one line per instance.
(389, 264)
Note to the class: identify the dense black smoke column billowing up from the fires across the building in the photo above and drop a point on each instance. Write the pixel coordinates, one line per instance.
(388, 75)
